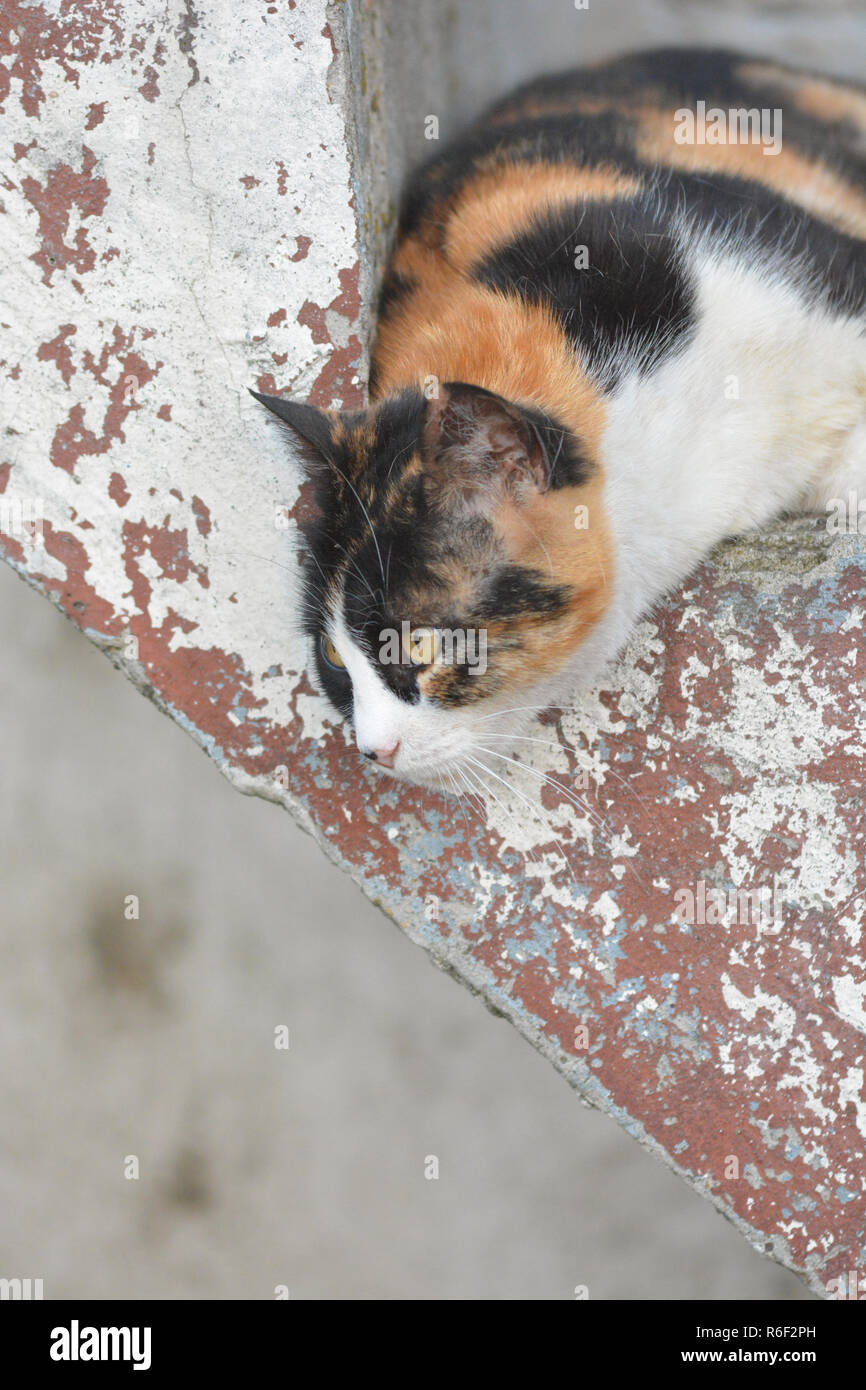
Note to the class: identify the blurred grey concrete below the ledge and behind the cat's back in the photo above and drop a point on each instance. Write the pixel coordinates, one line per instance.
(155, 1038)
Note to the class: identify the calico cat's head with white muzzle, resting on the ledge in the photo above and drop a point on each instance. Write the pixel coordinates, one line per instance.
(459, 561)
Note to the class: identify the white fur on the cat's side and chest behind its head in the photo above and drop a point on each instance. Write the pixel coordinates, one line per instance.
(687, 462)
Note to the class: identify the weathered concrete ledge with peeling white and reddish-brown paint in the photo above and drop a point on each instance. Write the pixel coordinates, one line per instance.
(193, 208)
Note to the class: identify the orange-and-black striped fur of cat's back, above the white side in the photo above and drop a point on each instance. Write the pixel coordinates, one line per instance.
(633, 173)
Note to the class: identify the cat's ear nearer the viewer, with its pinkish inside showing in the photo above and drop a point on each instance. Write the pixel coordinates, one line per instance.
(484, 447)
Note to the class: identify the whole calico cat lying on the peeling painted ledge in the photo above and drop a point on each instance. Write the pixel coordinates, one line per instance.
(604, 345)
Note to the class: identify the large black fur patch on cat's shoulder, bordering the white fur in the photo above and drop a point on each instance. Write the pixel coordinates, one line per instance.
(635, 304)
